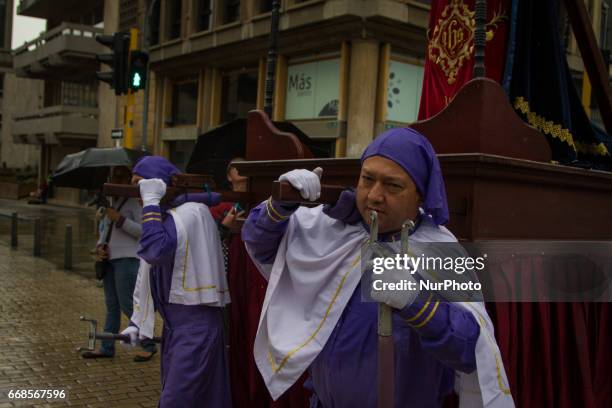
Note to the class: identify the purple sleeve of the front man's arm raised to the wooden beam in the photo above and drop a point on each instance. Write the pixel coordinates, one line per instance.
(264, 229)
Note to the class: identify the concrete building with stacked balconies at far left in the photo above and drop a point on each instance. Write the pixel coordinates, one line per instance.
(55, 92)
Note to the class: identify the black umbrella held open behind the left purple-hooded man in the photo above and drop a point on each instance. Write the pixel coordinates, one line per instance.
(89, 169)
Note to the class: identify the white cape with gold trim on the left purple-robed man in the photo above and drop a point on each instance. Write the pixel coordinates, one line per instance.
(198, 276)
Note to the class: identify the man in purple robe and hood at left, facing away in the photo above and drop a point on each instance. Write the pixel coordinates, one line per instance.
(193, 361)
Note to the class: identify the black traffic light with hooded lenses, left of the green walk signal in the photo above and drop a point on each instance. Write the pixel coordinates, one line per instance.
(119, 43)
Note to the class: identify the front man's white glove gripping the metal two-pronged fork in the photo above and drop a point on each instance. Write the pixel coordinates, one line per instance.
(398, 298)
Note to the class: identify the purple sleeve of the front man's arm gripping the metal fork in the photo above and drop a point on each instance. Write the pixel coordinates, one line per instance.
(447, 330)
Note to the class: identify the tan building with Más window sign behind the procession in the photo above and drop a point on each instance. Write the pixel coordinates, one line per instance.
(346, 68)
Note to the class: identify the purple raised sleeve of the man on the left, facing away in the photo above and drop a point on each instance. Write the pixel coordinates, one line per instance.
(158, 239)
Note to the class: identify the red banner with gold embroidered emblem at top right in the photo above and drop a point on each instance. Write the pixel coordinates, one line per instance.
(450, 49)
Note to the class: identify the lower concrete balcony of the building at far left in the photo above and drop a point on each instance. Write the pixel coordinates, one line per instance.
(60, 125)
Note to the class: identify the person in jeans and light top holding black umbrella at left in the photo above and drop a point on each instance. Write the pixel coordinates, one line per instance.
(116, 250)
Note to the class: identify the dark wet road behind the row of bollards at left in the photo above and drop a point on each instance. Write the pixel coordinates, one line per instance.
(53, 223)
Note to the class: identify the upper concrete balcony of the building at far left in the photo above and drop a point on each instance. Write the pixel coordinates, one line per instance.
(66, 52)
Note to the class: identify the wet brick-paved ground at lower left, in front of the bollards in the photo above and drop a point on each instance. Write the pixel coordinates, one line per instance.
(40, 330)
